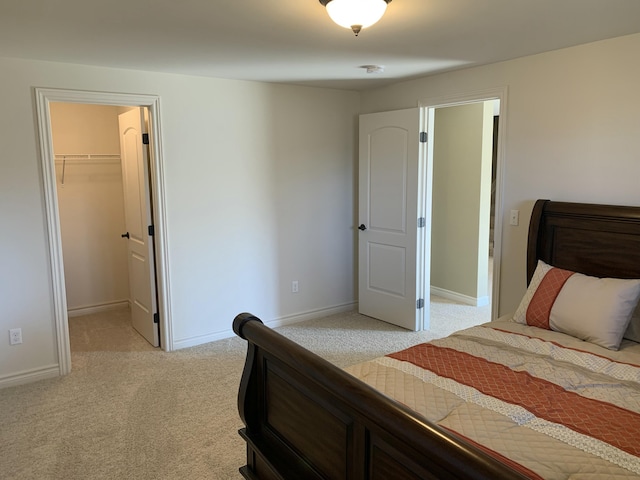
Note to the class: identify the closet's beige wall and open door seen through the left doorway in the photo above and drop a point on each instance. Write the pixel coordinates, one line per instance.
(104, 205)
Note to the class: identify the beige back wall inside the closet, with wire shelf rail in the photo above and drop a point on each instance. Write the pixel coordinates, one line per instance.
(90, 204)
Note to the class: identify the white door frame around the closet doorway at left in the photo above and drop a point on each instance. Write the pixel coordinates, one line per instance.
(44, 96)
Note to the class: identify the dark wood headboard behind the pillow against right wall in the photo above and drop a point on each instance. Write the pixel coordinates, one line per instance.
(596, 240)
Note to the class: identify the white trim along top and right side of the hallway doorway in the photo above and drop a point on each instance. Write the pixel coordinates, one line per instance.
(499, 93)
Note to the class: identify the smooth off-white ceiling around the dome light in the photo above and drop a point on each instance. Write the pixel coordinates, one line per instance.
(294, 41)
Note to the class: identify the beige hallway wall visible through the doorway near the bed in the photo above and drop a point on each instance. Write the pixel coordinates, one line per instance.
(461, 196)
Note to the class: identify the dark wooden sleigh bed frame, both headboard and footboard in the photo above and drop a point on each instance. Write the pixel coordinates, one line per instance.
(308, 419)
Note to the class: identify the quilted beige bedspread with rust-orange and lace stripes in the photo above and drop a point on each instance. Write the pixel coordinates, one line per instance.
(552, 405)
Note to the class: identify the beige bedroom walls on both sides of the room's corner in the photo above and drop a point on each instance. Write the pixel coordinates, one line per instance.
(260, 180)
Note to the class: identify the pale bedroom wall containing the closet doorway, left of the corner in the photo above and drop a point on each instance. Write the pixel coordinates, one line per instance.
(259, 192)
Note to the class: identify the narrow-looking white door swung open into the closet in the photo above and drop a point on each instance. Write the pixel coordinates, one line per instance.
(137, 201)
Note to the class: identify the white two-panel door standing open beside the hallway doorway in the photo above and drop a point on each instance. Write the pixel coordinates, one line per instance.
(391, 244)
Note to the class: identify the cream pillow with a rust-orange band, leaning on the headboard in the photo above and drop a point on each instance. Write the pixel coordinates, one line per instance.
(597, 310)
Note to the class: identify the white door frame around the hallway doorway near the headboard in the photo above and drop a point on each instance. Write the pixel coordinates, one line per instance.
(428, 105)
